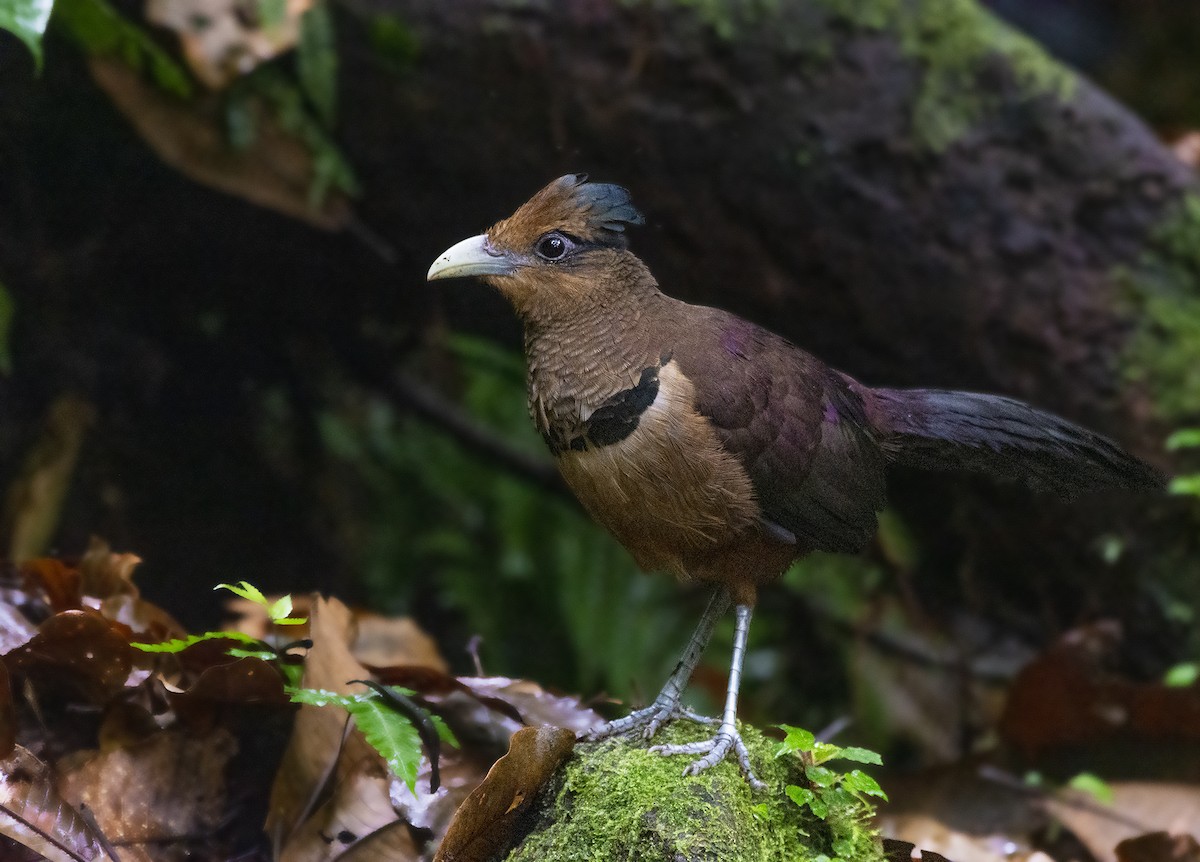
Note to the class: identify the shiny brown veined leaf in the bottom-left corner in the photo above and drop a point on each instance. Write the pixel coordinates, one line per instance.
(34, 815)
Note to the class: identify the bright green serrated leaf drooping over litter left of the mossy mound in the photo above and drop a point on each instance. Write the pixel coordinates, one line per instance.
(387, 731)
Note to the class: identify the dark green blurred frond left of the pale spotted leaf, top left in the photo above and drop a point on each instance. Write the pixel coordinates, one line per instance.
(99, 29)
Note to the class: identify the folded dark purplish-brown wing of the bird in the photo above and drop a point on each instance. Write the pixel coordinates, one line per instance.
(795, 424)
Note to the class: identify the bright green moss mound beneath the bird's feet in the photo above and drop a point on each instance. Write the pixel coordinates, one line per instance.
(617, 801)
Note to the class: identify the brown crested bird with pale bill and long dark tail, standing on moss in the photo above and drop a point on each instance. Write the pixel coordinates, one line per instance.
(713, 448)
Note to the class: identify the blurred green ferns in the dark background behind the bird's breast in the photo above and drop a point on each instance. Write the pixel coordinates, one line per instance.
(554, 596)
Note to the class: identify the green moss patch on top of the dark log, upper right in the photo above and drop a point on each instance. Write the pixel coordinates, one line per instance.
(952, 41)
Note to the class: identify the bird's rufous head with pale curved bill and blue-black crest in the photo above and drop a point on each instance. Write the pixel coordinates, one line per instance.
(565, 243)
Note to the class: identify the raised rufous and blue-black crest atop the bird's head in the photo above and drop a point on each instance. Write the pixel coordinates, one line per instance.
(595, 213)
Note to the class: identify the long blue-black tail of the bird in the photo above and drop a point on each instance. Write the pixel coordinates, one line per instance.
(939, 429)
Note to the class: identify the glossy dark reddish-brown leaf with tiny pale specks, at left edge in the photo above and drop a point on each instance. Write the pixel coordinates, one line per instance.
(80, 649)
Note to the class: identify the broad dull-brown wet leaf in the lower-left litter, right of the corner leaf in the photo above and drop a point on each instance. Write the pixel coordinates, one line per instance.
(167, 788)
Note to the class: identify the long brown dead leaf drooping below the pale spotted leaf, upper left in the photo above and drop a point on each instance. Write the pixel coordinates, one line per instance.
(274, 172)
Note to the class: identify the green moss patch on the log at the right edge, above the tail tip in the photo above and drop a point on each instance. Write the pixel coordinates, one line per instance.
(1163, 288)
